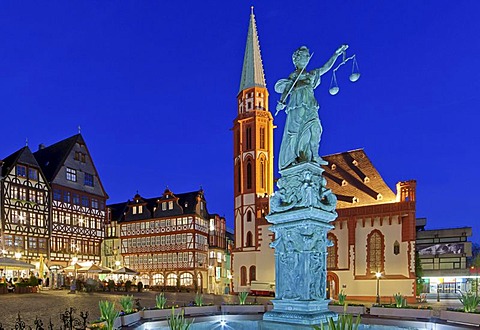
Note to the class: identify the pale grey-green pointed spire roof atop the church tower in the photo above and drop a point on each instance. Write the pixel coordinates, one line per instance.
(252, 72)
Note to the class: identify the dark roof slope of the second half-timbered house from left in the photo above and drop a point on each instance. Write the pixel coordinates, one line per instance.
(53, 157)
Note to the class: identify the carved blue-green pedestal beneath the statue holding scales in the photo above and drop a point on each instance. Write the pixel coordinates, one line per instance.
(301, 212)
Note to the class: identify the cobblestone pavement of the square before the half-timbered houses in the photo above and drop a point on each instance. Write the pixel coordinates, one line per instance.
(49, 304)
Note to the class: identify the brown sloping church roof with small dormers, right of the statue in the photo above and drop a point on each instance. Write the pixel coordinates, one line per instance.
(355, 181)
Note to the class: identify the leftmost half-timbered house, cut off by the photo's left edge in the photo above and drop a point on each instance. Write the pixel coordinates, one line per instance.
(24, 208)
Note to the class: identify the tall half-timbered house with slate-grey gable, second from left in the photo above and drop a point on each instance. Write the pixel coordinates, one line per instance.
(78, 201)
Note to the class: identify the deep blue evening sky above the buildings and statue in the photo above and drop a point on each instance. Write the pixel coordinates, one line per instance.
(153, 86)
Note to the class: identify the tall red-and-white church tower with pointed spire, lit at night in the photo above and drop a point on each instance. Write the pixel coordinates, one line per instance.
(253, 171)
